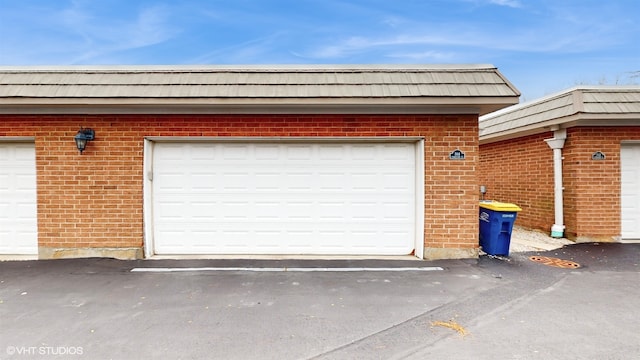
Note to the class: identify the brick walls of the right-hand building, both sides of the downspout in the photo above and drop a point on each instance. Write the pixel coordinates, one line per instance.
(521, 171)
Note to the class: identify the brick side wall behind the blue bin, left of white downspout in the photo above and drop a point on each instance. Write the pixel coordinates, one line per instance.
(520, 171)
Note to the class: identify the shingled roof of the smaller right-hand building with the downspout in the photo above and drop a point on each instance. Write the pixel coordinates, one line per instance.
(584, 105)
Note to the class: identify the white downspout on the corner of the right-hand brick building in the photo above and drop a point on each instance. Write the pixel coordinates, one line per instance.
(557, 143)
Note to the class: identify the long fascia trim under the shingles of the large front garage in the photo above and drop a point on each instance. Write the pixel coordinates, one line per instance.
(391, 105)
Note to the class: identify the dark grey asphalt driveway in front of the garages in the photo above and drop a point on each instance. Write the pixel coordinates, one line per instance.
(231, 309)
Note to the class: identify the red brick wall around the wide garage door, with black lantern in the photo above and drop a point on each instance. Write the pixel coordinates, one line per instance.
(95, 199)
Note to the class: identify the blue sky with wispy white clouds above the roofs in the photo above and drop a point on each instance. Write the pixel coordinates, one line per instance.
(542, 46)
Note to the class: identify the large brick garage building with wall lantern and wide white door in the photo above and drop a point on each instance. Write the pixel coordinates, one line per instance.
(316, 160)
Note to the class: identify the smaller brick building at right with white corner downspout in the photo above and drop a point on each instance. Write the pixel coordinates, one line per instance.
(597, 135)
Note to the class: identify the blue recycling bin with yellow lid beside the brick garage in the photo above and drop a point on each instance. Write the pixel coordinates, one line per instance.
(496, 223)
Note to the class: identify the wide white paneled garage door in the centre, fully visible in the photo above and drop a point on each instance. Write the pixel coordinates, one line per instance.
(284, 198)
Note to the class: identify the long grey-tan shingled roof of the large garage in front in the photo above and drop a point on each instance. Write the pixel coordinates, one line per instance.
(479, 87)
